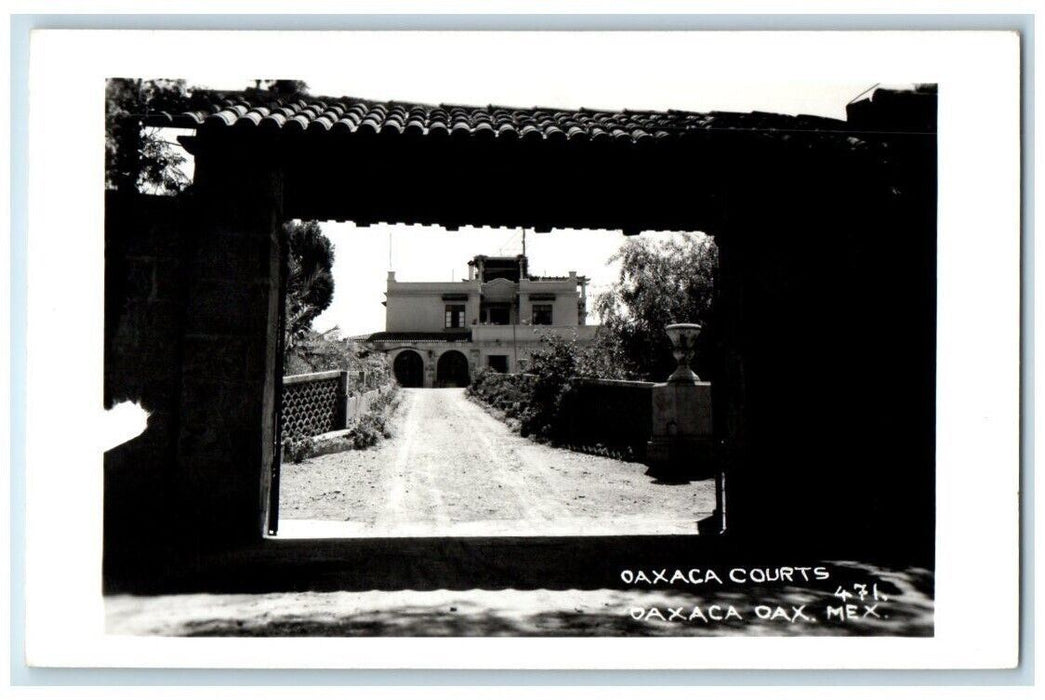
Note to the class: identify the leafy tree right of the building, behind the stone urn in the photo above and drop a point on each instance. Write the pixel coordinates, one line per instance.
(661, 283)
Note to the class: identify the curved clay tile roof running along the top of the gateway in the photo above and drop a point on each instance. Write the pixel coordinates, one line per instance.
(350, 115)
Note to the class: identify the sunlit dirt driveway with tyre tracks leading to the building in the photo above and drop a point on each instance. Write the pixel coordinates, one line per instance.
(454, 470)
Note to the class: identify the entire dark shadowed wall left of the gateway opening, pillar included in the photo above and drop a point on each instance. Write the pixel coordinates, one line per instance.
(193, 313)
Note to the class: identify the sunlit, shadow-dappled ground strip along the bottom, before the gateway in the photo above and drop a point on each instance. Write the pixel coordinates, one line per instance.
(864, 600)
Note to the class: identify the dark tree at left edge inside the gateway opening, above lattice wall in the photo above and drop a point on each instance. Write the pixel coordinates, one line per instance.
(310, 283)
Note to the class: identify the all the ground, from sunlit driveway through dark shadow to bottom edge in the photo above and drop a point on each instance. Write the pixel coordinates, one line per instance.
(457, 527)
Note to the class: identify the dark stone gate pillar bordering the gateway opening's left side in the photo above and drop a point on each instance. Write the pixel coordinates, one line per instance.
(230, 369)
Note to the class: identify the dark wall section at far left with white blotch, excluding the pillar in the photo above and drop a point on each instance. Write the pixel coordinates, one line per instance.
(146, 294)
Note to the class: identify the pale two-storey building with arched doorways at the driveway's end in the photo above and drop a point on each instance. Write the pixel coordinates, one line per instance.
(442, 334)
